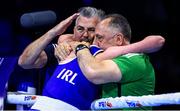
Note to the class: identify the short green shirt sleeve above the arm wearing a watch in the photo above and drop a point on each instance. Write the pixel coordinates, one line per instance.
(132, 69)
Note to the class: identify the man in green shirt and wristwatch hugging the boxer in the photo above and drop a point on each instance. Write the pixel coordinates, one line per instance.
(131, 74)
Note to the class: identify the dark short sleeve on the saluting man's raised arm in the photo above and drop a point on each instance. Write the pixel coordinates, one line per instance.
(49, 50)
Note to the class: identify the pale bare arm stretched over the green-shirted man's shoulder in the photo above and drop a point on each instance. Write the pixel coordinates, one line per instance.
(148, 45)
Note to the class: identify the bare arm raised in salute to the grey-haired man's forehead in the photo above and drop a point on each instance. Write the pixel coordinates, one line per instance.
(33, 55)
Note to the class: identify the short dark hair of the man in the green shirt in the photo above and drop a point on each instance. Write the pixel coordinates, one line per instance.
(120, 23)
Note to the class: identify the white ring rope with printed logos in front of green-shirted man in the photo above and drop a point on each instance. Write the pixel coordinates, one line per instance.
(136, 101)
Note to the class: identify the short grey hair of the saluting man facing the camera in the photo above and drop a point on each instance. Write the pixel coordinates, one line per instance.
(90, 12)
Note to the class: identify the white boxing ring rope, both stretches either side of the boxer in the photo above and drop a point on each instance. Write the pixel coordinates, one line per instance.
(108, 103)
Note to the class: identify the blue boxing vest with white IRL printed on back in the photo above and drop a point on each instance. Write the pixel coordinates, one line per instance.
(68, 84)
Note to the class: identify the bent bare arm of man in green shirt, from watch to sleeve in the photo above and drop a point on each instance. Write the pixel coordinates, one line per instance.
(96, 71)
